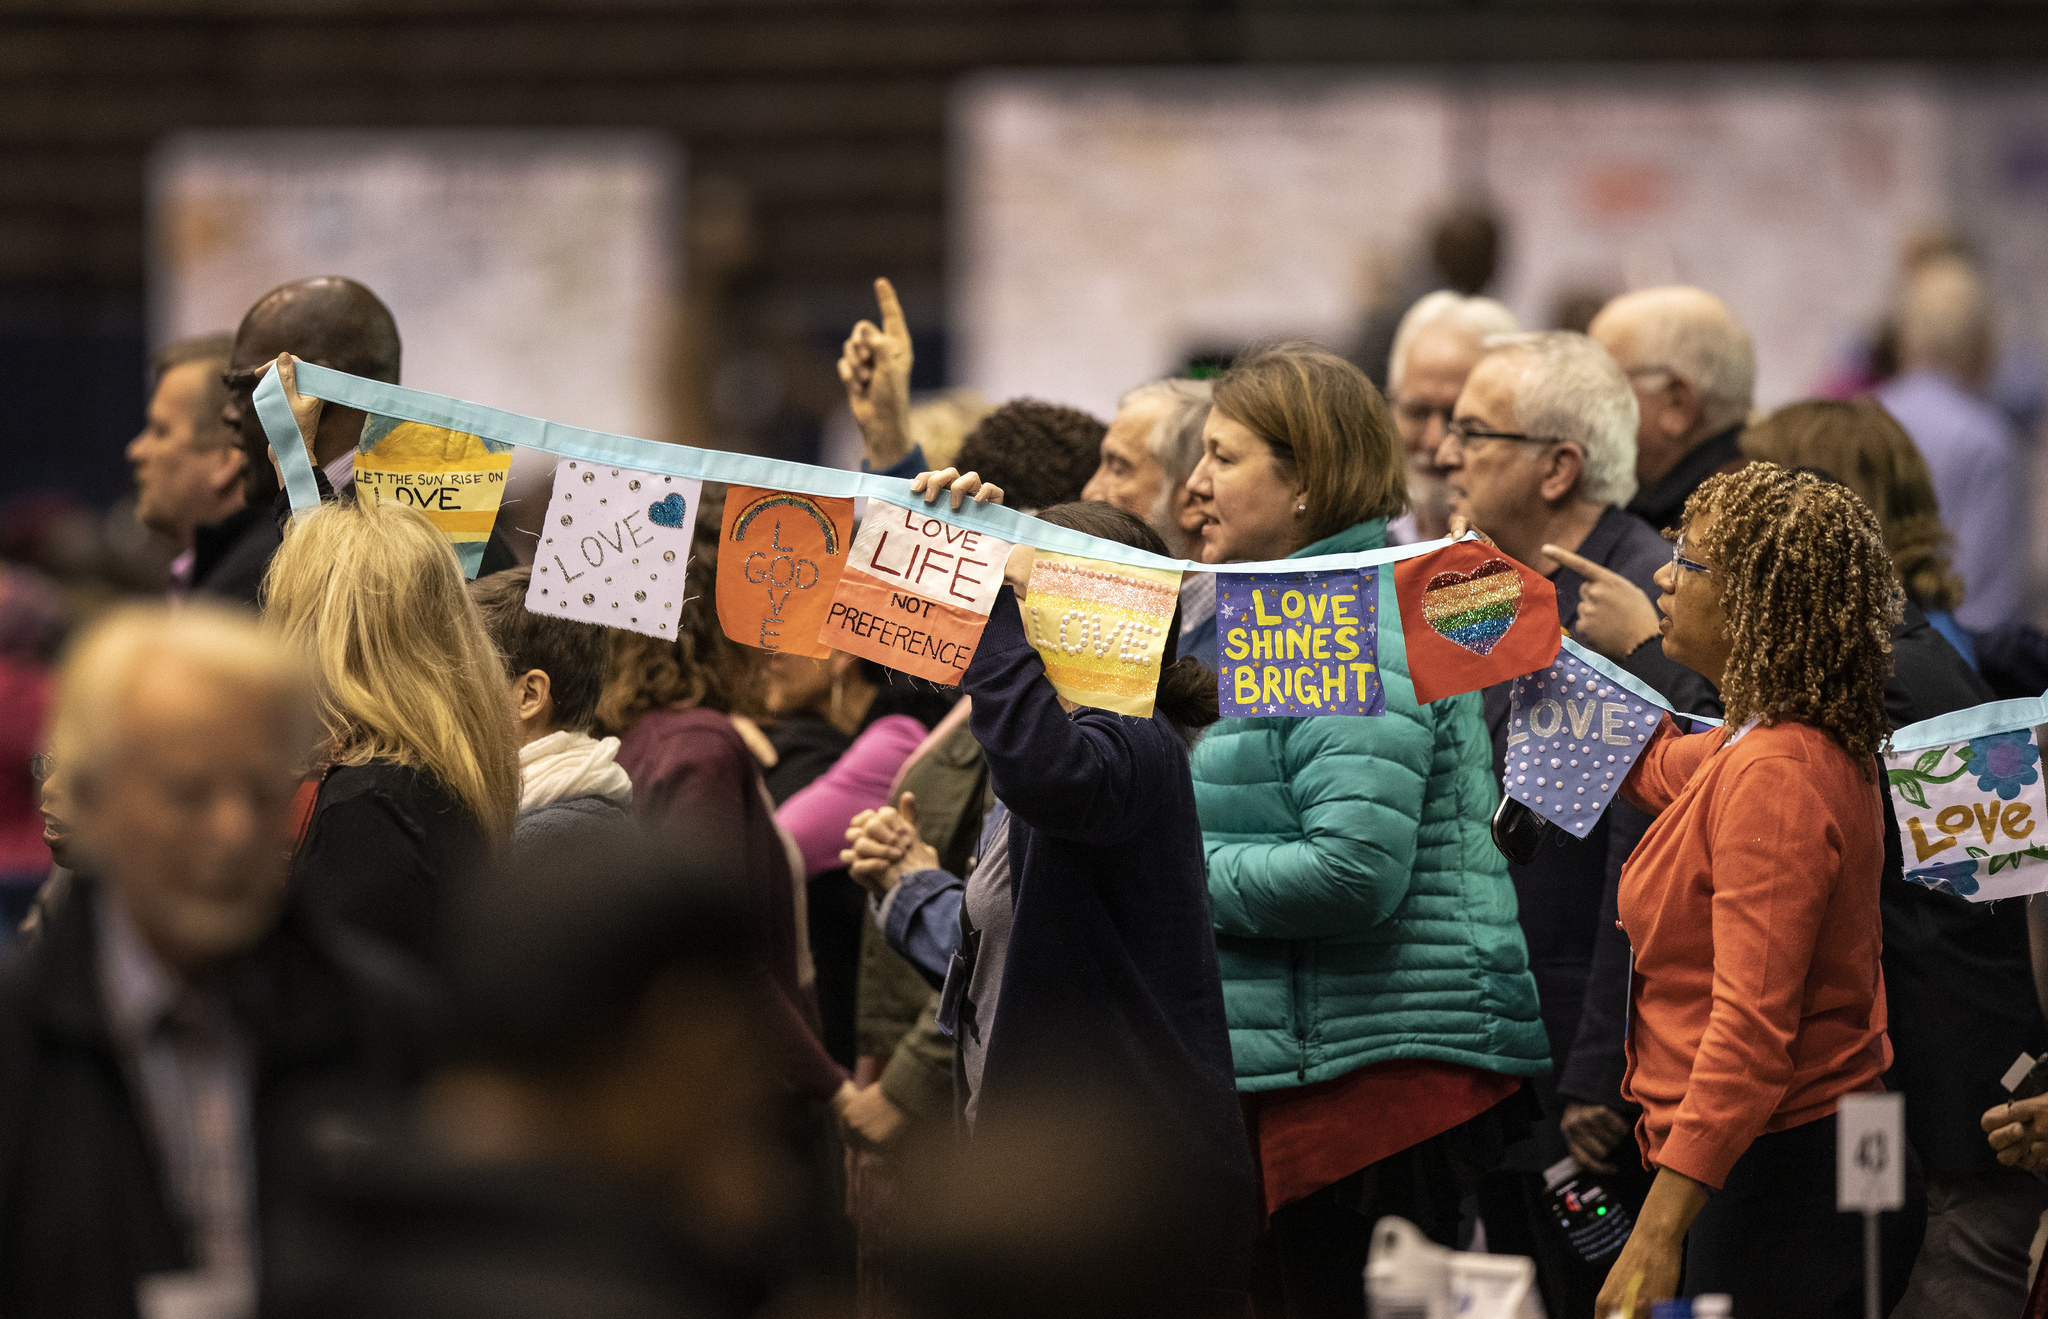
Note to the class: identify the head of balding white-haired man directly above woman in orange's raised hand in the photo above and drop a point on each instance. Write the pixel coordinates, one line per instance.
(1695, 376)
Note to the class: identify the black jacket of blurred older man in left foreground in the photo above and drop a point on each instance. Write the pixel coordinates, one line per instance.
(85, 1211)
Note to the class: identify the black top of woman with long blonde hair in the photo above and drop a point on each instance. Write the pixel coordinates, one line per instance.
(382, 849)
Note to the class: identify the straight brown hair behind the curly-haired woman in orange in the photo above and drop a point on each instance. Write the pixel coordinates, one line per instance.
(1867, 450)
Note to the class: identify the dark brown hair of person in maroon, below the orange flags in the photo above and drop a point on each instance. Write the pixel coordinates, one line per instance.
(701, 667)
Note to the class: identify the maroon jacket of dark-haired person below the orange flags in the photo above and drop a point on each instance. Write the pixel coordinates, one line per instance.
(693, 779)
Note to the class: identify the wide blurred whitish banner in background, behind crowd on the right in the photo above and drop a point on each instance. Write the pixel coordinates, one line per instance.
(1113, 226)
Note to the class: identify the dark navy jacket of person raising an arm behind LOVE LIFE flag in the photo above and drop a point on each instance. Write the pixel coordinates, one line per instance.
(1111, 986)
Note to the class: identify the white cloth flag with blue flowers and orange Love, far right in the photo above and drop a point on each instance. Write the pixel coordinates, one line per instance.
(1971, 812)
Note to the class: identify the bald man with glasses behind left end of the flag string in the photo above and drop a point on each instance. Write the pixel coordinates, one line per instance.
(333, 323)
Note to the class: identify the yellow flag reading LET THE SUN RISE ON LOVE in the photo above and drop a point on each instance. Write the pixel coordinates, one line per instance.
(458, 480)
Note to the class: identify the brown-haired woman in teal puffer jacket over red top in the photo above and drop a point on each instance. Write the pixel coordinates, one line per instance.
(1375, 978)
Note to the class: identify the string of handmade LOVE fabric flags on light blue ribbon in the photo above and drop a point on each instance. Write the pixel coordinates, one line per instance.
(914, 583)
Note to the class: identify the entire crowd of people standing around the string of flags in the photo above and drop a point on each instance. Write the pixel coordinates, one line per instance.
(382, 947)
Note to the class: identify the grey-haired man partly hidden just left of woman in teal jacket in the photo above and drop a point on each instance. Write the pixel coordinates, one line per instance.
(1148, 456)
